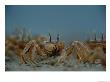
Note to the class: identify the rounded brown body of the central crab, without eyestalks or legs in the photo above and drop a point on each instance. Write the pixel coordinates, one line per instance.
(52, 48)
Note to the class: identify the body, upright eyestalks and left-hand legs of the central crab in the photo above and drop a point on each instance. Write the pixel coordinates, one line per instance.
(45, 48)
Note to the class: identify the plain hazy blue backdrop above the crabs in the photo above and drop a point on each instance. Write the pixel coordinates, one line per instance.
(71, 22)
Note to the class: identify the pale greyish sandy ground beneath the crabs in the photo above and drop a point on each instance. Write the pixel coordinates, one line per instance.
(49, 64)
